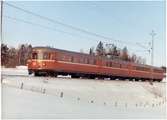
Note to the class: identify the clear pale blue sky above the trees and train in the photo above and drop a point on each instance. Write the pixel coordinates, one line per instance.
(125, 21)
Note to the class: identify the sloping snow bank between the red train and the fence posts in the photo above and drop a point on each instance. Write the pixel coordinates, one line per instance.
(97, 90)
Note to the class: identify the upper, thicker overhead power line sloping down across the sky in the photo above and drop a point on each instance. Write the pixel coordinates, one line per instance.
(69, 26)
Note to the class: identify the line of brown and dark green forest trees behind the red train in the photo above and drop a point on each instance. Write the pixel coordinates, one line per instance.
(12, 57)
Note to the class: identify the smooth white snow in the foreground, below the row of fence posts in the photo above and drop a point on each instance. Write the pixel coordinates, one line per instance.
(19, 104)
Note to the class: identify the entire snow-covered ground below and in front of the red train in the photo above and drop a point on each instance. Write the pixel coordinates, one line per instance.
(26, 96)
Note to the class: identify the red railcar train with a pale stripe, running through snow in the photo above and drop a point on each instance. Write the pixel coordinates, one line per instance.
(51, 61)
